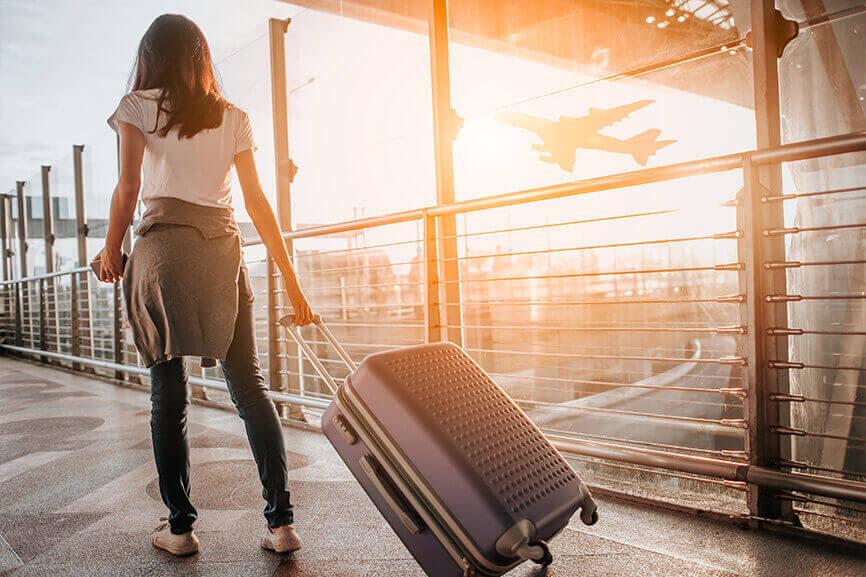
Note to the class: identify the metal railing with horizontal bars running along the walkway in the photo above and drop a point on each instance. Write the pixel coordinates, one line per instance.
(704, 405)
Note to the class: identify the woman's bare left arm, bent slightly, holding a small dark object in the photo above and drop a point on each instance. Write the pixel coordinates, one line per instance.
(123, 200)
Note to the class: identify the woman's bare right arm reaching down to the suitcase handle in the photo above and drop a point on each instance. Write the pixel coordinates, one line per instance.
(269, 230)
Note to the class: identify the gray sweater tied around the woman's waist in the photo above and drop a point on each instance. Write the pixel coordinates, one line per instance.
(183, 281)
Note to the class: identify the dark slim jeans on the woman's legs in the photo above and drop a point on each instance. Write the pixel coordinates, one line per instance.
(170, 398)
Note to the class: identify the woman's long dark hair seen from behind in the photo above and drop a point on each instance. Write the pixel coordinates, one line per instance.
(174, 57)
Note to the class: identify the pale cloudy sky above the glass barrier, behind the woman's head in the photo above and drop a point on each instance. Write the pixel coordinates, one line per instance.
(64, 64)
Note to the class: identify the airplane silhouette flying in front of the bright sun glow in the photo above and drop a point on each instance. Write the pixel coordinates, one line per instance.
(561, 138)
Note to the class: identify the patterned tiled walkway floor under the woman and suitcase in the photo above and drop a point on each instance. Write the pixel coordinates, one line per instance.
(78, 497)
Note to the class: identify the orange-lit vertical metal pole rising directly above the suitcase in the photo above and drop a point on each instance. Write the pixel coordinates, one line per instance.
(446, 124)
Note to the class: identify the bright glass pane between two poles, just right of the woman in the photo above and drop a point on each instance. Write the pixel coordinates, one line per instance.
(360, 114)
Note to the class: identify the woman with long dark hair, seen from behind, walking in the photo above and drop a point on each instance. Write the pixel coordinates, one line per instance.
(187, 291)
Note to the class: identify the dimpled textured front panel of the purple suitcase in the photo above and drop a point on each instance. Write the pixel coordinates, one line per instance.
(502, 445)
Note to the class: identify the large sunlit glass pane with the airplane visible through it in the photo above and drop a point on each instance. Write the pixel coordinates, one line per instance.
(596, 89)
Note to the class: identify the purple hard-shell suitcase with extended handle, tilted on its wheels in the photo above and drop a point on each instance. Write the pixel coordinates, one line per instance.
(469, 484)
